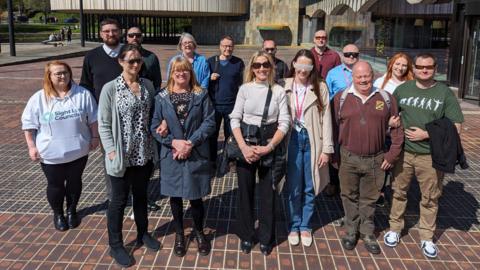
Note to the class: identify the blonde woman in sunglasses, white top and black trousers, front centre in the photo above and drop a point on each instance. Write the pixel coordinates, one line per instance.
(261, 104)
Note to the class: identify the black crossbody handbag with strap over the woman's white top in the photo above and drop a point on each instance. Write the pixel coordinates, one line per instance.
(252, 134)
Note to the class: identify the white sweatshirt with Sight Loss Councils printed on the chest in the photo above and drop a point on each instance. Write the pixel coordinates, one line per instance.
(62, 124)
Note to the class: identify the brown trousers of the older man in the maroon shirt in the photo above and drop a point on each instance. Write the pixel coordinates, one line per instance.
(361, 180)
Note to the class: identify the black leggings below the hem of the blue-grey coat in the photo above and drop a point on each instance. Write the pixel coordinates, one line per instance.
(176, 204)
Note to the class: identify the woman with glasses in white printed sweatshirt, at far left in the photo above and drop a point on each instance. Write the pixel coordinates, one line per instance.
(60, 124)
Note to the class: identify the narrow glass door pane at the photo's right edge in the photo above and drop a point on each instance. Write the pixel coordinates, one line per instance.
(472, 86)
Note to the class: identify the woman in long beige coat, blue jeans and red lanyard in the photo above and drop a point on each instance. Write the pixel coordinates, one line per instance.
(310, 144)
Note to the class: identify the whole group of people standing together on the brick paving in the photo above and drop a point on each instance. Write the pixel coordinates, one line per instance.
(340, 129)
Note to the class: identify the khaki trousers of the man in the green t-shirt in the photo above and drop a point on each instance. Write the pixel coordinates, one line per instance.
(430, 182)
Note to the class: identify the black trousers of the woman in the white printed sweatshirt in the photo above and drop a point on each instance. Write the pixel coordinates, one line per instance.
(64, 181)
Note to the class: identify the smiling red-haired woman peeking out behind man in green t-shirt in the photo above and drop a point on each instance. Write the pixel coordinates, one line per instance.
(399, 70)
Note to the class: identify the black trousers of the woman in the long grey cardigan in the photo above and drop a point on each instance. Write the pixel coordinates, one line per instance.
(136, 179)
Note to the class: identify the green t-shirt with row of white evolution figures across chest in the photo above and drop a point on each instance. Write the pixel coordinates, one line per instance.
(421, 106)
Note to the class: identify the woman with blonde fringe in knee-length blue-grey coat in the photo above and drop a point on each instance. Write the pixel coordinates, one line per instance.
(184, 149)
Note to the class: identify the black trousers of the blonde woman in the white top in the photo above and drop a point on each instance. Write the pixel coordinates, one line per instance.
(246, 201)
